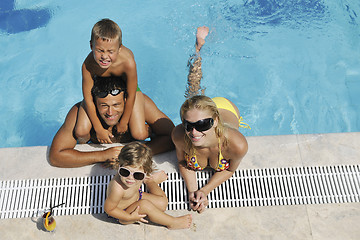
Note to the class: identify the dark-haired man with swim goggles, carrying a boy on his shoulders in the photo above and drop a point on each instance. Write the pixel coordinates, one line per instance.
(109, 94)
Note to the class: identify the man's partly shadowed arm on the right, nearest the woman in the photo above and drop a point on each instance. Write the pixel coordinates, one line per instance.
(160, 125)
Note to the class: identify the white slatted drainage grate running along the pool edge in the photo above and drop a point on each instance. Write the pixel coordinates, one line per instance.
(249, 187)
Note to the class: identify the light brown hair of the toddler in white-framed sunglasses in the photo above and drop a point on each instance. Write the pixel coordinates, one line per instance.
(136, 154)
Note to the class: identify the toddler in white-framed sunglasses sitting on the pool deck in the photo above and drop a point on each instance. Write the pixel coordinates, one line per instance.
(125, 200)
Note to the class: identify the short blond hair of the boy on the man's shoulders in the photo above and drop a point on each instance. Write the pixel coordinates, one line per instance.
(106, 29)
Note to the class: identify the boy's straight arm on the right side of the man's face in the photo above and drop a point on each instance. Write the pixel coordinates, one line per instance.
(131, 83)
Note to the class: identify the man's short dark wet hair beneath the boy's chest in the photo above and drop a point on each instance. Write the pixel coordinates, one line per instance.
(107, 84)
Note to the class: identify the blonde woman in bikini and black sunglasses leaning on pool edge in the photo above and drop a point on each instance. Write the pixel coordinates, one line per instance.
(208, 135)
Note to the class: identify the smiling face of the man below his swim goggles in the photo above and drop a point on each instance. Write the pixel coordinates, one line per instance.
(111, 108)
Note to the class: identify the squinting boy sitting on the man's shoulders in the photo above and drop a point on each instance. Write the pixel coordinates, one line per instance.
(110, 58)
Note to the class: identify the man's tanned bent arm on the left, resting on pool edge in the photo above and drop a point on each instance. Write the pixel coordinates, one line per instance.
(63, 154)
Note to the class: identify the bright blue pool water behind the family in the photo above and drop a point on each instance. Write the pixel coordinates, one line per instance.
(291, 66)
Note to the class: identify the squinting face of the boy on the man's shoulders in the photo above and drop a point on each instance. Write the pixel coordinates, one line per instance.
(105, 51)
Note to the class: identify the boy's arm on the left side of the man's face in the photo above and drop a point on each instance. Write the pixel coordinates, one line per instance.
(102, 134)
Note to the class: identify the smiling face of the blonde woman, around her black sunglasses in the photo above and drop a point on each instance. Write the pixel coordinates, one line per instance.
(198, 138)
